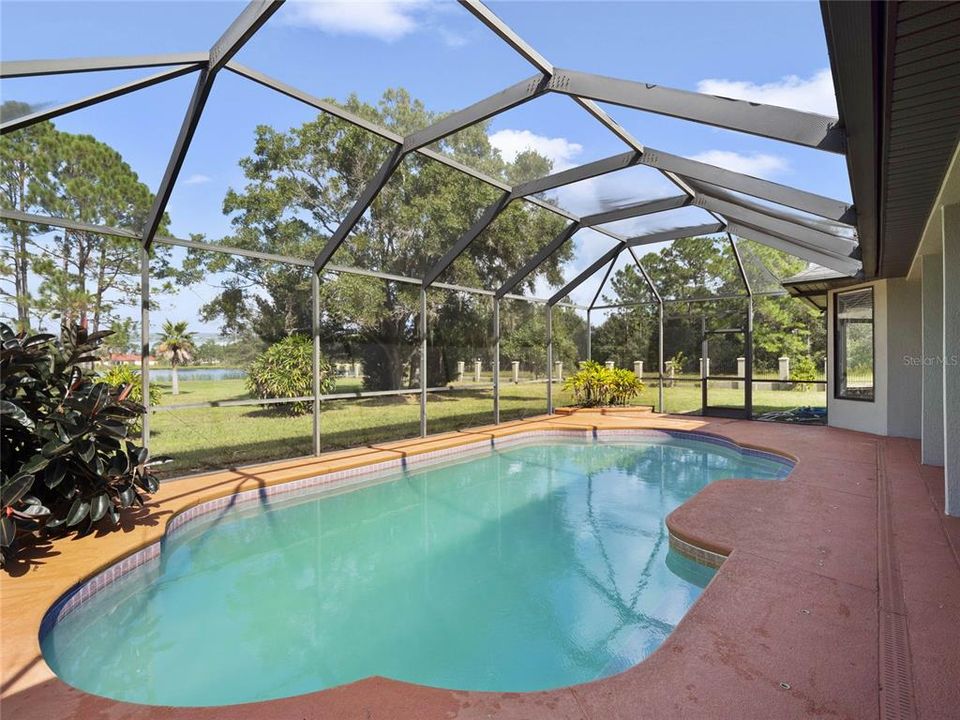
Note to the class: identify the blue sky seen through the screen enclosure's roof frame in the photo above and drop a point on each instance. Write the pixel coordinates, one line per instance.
(770, 52)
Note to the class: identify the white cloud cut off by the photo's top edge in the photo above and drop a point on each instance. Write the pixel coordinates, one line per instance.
(384, 19)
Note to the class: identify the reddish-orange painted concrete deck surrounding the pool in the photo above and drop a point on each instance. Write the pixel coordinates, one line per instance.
(839, 598)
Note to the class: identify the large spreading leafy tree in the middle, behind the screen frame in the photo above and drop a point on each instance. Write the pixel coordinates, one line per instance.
(302, 182)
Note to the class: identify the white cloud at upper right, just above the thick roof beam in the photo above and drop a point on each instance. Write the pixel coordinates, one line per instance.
(813, 94)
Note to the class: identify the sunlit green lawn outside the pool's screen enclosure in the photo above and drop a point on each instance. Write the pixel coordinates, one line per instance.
(209, 438)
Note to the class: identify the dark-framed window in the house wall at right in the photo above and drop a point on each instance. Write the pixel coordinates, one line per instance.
(853, 335)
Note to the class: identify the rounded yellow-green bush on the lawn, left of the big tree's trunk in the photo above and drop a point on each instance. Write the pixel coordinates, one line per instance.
(285, 370)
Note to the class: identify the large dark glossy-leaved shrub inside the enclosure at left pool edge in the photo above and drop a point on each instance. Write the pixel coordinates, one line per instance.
(67, 461)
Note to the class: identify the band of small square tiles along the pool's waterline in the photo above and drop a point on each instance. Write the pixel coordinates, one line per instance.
(345, 479)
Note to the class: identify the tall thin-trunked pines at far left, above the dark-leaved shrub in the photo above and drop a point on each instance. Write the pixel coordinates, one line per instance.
(84, 276)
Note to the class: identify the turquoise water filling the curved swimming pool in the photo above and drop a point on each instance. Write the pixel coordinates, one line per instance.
(526, 568)
